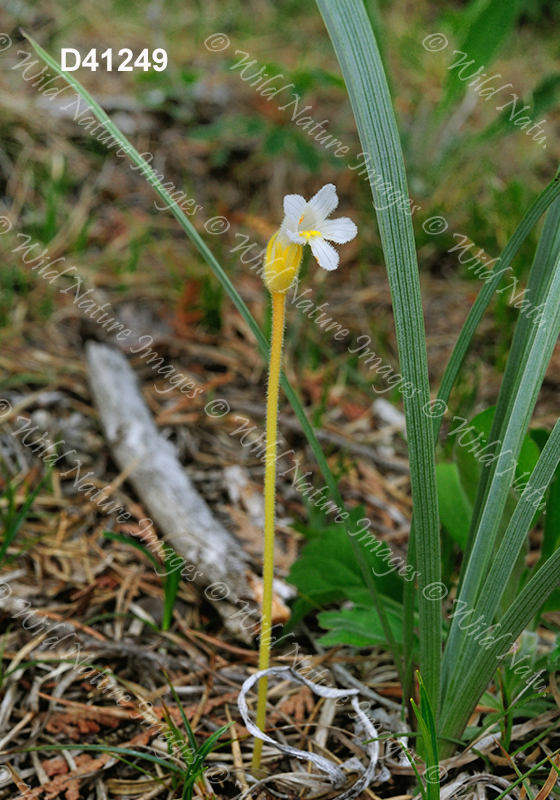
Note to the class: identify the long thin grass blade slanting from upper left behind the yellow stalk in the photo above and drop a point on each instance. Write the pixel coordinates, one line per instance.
(199, 243)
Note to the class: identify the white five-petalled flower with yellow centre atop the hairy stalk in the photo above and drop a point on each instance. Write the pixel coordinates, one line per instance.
(306, 222)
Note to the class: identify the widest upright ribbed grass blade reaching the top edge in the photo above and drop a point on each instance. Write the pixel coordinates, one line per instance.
(358, 55)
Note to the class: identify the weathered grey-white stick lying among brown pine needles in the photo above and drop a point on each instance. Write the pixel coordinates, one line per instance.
(164, 488)
